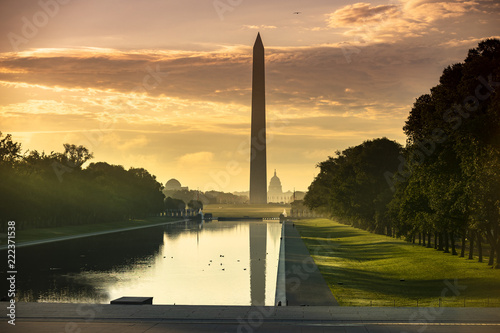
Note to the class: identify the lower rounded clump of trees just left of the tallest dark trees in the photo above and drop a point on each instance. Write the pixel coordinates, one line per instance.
(353, 185)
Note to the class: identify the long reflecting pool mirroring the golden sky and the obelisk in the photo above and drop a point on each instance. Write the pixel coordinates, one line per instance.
(216, 263)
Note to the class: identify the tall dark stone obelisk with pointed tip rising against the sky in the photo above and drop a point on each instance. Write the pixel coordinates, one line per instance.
(258, 164)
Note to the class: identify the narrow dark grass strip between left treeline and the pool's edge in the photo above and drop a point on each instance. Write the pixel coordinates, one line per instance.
(47, 233)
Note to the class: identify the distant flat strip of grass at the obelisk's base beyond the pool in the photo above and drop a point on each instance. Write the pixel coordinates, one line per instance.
(225, 210)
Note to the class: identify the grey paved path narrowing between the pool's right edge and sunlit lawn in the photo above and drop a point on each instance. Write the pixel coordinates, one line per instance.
(304, 283)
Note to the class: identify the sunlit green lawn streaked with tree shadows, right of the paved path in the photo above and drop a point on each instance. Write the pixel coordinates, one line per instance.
(365, 269)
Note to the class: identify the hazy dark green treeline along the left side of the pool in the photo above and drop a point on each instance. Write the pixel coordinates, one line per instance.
(46, 190)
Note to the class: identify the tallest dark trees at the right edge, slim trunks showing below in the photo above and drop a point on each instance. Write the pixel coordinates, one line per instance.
(455, 130)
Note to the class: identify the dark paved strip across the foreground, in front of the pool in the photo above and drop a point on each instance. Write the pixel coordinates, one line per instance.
(52, 317)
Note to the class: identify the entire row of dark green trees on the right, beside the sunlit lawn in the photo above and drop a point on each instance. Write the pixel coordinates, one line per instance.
(444, 186)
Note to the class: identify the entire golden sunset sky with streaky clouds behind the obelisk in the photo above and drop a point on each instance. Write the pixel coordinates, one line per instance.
(166, 84)
